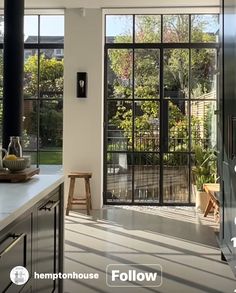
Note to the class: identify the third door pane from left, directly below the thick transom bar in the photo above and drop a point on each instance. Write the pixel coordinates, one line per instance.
(176, 73)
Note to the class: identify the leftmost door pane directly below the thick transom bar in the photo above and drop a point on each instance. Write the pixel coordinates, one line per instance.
(119, 74)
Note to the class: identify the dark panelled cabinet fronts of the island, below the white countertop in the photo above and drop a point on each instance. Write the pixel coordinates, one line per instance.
(35, 240)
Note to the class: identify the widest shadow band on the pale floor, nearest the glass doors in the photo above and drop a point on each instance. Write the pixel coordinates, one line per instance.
(178, 226)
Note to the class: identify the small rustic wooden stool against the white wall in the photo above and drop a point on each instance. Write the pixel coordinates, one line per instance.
(81, 201)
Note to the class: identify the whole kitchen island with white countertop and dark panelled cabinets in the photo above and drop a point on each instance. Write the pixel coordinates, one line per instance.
(31, 232)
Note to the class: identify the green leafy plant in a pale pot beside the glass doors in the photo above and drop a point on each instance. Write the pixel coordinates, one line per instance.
(204, 171)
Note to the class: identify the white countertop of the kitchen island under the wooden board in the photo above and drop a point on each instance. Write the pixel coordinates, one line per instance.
(17, 198)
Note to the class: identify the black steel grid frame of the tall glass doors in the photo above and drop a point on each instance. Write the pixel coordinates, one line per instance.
(161, 47)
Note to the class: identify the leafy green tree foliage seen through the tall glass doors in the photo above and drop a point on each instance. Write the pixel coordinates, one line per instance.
(146, 76)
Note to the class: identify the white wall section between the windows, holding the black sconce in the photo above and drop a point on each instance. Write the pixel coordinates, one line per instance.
(83, 116)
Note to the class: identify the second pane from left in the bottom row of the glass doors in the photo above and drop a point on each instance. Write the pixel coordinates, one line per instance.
(146, 177)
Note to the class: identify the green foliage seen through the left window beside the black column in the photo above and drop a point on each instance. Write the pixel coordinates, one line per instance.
(50, 88)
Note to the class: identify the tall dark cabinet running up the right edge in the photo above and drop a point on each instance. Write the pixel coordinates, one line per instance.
(227, 134)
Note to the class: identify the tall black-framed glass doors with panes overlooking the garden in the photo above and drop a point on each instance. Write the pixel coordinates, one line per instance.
(155, 114)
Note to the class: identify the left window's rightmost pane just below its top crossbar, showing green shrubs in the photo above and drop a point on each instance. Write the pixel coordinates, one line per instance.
(51, 74)
